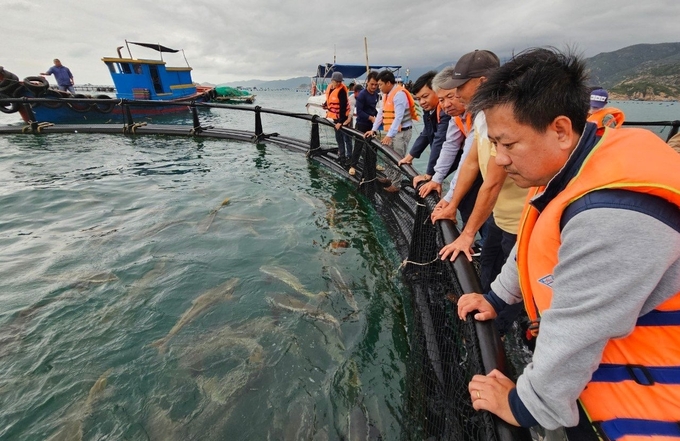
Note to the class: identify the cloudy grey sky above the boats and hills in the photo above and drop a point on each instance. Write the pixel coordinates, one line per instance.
(230, 40)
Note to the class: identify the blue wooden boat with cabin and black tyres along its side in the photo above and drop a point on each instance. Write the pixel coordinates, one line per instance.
(138, 83)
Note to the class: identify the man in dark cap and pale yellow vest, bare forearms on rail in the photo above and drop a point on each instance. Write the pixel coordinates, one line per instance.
(499, 201)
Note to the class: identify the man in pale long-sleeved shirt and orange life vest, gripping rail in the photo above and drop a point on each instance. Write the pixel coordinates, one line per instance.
(397, 116)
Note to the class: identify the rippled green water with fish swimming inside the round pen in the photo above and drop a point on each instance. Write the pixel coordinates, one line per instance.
(168, 288)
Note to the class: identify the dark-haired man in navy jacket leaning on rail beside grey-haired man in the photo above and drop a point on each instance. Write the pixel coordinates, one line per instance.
(436, 123)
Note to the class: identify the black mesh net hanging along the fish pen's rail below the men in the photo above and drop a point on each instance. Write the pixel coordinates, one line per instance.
(445, 351)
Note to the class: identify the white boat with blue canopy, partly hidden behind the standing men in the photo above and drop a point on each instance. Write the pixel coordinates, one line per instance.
(322, 77)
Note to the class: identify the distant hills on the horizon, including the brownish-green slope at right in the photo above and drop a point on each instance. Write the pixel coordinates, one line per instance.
(641, 71)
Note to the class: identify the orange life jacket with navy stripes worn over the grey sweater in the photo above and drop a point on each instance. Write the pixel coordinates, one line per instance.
(636, 160)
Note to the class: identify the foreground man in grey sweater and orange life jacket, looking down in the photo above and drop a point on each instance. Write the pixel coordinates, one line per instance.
(597, 261)
